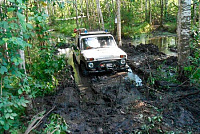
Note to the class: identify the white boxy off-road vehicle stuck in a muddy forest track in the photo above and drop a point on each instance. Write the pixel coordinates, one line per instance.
(98, 52)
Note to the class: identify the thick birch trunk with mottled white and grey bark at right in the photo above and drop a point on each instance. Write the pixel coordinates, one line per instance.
(183, 32)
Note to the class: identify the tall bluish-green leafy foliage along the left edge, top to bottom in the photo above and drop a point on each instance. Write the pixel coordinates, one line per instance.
(14, 82)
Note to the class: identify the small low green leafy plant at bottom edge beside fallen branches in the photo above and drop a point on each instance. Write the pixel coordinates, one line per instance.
(57, 125)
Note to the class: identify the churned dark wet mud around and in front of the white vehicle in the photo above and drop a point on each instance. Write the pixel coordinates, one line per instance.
(112, 103)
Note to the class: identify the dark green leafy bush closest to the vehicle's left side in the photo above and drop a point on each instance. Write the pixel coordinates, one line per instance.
(44, 69)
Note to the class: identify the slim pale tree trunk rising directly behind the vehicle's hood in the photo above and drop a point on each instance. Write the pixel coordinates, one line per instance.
(119, 23)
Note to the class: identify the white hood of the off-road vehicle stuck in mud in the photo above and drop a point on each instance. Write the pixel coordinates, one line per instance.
(103, 53)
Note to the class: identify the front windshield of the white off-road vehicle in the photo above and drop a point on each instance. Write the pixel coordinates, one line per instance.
(97, 42)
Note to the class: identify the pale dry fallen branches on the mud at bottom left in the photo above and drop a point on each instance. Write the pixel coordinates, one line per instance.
(37, 121)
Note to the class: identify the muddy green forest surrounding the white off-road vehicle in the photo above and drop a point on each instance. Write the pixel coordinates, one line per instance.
(41, 92)
